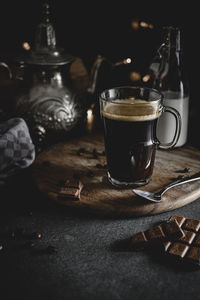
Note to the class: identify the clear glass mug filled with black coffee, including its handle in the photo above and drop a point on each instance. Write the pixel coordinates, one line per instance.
(129, 116)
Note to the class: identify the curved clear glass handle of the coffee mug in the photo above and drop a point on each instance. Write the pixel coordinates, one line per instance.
(177, 116)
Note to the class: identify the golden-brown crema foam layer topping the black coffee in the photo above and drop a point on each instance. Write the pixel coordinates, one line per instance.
(129, 110)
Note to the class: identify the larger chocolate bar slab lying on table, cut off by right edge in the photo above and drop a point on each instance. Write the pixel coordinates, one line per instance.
(187, 248)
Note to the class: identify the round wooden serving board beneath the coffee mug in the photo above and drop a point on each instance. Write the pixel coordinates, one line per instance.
(61, 161)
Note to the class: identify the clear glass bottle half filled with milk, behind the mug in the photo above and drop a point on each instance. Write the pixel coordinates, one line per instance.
(167, 75)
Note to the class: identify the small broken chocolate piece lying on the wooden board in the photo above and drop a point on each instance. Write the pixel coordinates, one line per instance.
(70, 190)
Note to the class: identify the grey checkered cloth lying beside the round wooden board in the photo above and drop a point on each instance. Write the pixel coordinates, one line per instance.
(16, 148)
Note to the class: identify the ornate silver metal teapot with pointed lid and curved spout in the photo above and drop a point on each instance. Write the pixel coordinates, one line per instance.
(48, 100)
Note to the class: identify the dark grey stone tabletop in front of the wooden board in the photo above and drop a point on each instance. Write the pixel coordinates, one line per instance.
(51, 252)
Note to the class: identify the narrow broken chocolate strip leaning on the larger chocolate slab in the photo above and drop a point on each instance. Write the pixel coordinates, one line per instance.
(168, 230)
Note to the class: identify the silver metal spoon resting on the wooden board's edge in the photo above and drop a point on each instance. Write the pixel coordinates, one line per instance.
(157, 197)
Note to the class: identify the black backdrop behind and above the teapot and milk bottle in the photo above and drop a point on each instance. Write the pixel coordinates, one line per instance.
(86, 29)
